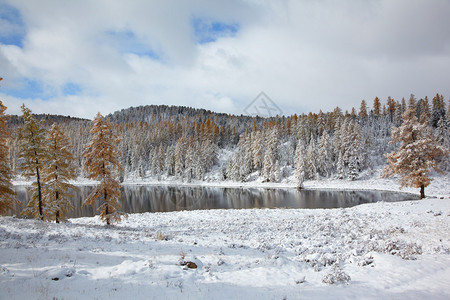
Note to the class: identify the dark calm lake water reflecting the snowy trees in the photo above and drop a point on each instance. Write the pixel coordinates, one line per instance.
(139, 199)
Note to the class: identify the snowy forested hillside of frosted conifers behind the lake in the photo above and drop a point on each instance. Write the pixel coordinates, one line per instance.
(187, 143)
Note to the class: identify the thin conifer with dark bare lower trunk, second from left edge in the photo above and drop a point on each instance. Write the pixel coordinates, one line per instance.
(33, 155)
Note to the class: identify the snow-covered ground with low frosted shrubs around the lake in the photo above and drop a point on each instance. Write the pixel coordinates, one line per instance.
(372, 251)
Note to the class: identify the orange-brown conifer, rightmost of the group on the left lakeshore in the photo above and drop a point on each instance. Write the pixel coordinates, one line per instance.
(102, 165)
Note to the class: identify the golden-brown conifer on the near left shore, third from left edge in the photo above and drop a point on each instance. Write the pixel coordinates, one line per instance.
(57, 172)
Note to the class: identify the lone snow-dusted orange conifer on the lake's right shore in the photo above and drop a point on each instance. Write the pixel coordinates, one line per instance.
(416, 155)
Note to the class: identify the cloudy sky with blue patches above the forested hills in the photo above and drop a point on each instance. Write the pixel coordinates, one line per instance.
(81, 57)
